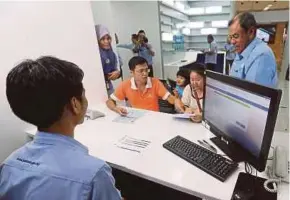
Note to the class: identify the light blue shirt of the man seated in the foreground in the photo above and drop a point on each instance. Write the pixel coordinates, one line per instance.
(56, 167)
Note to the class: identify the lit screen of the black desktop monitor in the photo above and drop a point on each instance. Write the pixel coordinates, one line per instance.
(239, 114)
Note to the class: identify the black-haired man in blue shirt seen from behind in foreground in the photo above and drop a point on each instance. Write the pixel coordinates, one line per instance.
(48, 93)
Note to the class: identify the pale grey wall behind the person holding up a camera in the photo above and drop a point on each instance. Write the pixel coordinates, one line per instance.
(131, 16)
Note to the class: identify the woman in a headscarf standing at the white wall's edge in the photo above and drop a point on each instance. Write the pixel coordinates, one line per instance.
(108, 57)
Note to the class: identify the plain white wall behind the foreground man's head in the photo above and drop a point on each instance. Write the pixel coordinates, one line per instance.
(29, 30)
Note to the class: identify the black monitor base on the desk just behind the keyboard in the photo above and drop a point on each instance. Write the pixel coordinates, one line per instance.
(231, 149)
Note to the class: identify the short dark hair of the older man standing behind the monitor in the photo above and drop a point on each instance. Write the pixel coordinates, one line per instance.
(246, 20)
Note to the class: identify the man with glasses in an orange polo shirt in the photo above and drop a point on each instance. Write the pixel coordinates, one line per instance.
(141, 91)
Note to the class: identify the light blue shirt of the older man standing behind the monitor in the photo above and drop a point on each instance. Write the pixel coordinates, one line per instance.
(256, 64)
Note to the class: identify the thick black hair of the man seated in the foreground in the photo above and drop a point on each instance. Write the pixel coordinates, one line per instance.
(38, 90)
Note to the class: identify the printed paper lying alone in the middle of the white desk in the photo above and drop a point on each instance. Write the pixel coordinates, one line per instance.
(132, 144)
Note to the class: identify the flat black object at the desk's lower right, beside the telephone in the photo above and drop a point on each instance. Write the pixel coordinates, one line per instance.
(249, 187)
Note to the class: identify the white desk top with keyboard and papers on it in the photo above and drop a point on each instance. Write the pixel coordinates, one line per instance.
(156, 163)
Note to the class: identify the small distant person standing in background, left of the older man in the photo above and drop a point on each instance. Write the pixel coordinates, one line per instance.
(210, 53)
